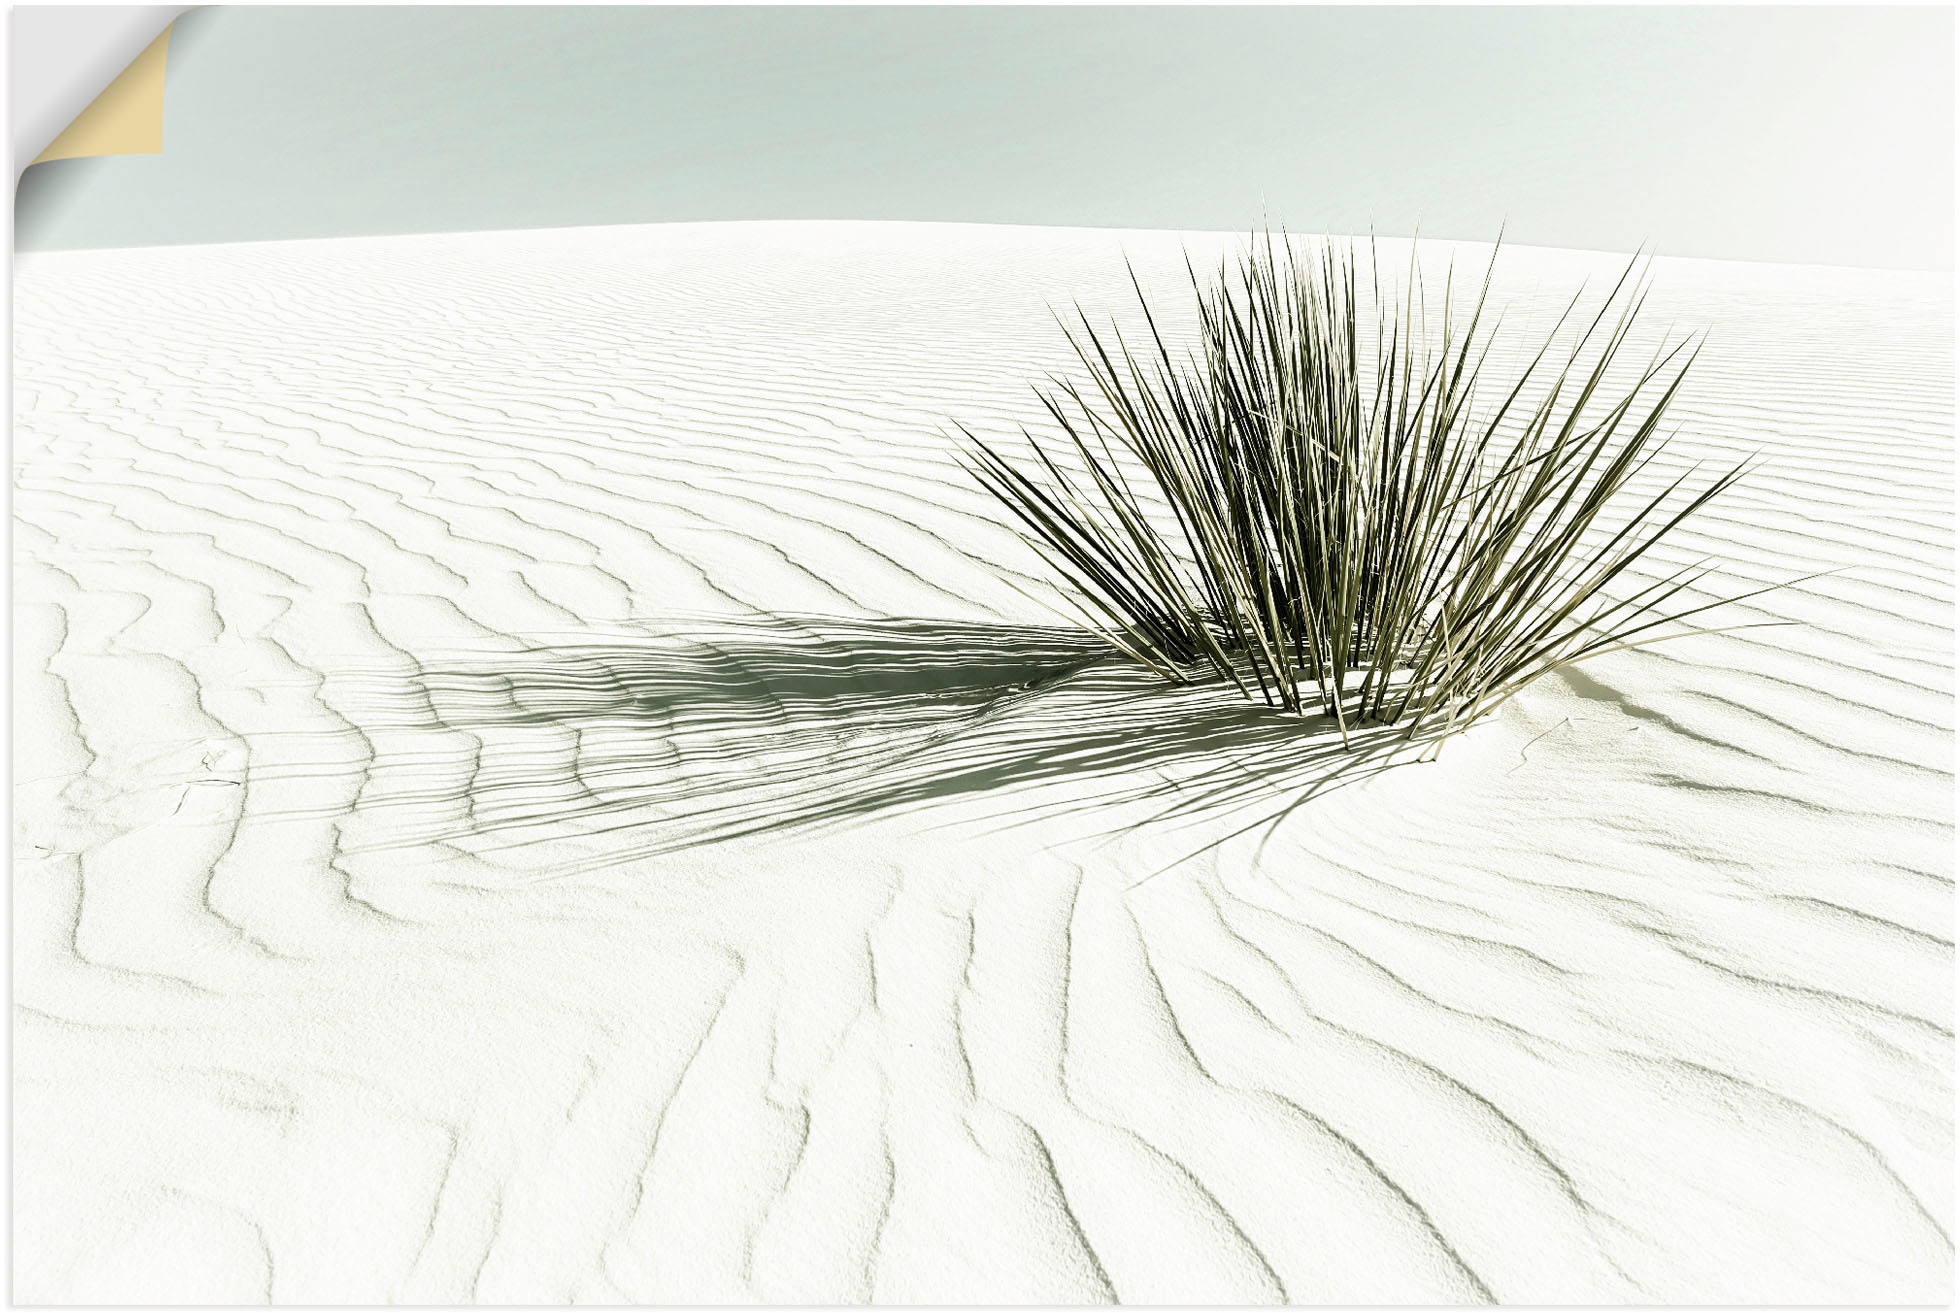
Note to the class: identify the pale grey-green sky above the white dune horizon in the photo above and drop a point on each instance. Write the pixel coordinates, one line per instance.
(1765, 134)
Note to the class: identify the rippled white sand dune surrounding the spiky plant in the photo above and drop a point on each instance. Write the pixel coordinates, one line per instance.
(528, 789)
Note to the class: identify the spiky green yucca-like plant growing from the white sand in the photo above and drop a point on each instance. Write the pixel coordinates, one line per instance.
(1385, 536)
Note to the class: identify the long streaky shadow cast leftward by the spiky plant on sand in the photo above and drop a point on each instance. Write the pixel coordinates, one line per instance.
(746, 728)
